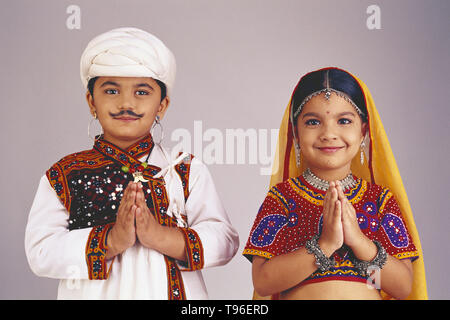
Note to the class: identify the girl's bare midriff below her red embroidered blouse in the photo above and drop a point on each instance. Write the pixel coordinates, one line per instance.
(331, 290)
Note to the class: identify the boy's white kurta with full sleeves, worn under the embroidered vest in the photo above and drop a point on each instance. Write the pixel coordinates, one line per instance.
(138, 273)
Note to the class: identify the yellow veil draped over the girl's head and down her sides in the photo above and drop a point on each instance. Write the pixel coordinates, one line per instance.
(379, 167)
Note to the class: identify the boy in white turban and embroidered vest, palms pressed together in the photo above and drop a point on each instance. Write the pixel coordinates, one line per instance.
(125, 220)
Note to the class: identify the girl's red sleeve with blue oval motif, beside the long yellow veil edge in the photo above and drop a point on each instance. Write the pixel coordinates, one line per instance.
(393, 232)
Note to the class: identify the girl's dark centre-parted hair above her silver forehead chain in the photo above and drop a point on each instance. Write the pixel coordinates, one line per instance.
(337, 79)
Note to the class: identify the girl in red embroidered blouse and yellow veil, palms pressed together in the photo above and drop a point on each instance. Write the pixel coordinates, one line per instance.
(336, 222)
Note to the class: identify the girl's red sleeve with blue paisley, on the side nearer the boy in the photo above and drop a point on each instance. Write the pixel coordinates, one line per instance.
(267, 236)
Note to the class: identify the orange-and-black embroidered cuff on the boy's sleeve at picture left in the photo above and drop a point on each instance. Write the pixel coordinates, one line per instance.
(96, 249)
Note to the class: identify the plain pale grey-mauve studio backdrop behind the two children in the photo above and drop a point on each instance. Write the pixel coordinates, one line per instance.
(238, 62)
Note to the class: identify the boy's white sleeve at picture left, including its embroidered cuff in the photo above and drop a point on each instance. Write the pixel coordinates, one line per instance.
(55, 252)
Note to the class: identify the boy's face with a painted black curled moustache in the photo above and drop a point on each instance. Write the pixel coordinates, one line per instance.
(126, 107)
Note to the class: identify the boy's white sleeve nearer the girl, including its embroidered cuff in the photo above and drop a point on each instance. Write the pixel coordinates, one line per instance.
(210, 238)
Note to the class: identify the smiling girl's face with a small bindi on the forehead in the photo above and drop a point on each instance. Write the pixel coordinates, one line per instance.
(330, 134)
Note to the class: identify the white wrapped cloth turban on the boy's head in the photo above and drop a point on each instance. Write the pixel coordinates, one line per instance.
(128, 52)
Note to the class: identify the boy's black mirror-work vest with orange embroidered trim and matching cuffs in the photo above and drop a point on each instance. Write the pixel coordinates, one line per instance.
(90, 185)
